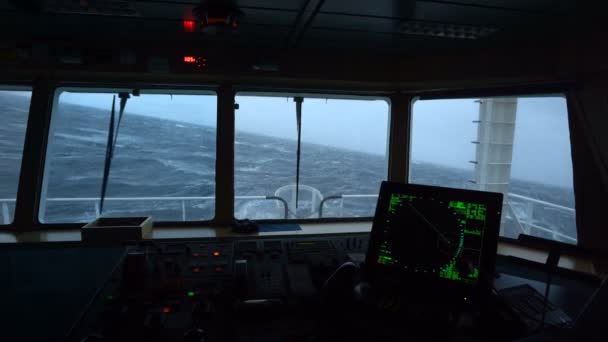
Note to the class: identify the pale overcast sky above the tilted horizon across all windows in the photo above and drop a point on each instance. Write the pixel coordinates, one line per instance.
(442, 129)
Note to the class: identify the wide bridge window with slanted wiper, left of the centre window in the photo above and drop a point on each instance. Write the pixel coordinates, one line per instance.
(162, 163)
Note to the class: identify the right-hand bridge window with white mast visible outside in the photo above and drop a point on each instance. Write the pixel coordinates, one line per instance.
(519, 146)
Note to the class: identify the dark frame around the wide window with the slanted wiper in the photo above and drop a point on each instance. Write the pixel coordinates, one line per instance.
(56, 91)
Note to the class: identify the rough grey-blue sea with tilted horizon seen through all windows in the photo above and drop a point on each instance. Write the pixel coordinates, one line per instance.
(166, 169)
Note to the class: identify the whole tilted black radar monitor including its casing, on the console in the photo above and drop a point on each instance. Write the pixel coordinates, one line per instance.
(434, 234)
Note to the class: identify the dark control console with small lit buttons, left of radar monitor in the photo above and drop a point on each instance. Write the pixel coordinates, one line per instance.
(216, 290)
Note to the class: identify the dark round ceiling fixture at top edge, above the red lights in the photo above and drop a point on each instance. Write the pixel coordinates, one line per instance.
(217, 17)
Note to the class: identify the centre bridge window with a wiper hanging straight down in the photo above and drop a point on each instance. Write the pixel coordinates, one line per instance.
(343, 156)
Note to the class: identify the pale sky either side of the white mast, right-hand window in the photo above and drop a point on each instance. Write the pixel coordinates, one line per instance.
(443, 131)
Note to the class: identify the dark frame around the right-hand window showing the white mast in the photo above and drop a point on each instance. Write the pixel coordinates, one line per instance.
(551, 90)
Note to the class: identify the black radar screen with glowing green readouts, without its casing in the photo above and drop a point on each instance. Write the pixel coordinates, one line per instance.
(434, 237)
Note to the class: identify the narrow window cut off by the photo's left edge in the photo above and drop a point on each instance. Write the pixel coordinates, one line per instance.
(14, 110)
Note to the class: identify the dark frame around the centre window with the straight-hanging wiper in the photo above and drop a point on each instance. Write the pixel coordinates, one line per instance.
(322, 94)
